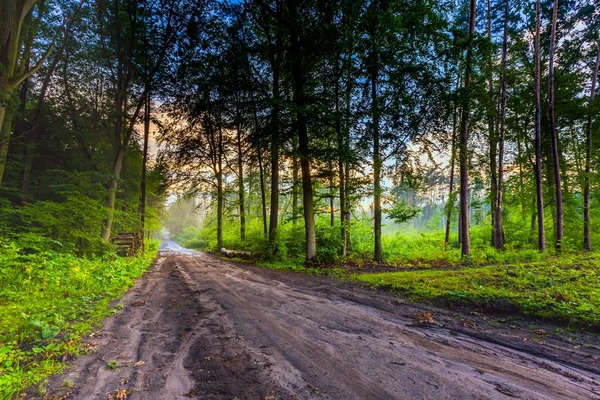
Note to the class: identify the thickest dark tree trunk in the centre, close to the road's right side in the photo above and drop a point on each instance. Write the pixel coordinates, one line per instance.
(301, 126)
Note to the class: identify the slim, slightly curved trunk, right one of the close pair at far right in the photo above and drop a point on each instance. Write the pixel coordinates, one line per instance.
(554, 135)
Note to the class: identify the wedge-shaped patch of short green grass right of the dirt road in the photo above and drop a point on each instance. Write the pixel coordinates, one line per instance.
(564, 290)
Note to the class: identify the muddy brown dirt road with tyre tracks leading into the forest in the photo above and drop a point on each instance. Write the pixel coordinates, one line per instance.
(202, 327)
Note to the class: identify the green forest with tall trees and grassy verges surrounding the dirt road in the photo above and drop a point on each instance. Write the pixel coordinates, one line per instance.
(318, 136)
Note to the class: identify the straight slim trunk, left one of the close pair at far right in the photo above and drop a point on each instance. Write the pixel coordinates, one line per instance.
(538, 132)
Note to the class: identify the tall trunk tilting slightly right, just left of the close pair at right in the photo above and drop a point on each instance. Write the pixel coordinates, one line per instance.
(498, 231)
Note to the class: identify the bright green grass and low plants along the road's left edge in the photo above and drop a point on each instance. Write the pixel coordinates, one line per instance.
(48, 302)
